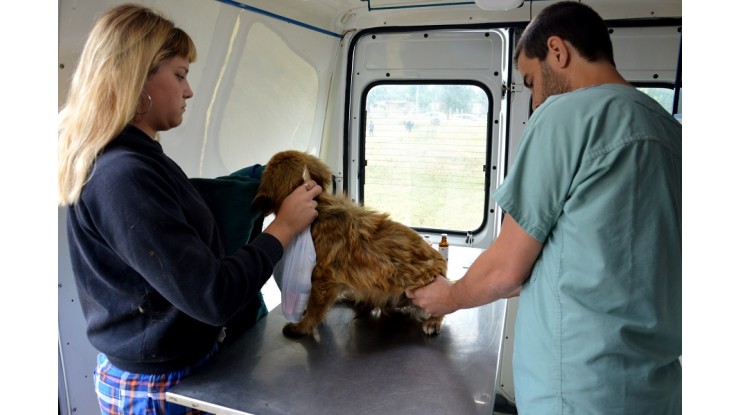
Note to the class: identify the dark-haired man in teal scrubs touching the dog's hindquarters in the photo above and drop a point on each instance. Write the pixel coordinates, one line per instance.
(592, 236)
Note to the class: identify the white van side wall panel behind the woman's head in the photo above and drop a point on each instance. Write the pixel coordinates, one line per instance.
(260, 83)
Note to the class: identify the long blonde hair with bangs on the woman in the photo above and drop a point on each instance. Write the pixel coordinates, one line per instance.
(126, 45)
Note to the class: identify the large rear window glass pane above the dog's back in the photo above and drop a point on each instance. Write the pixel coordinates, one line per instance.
(425, 151)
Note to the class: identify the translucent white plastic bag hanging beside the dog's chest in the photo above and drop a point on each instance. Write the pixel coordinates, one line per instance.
(295, 284)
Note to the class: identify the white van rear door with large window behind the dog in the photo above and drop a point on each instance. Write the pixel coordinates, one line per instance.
(425, 127)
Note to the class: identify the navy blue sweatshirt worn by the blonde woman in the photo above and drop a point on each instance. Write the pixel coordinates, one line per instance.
(152, 278)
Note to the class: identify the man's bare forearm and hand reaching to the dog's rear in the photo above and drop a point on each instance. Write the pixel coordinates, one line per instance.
(498, 272)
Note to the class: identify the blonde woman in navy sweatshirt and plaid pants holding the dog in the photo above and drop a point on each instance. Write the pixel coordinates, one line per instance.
(155, 286)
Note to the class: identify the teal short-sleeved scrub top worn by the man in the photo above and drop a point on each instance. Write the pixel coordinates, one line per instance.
(597, 180)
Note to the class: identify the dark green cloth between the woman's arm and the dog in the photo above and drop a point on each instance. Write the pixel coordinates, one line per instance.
(230, 200)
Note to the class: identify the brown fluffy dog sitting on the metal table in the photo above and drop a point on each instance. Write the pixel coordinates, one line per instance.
(360, 254)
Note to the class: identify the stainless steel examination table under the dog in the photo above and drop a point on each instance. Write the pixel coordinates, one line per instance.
(368, 365)
